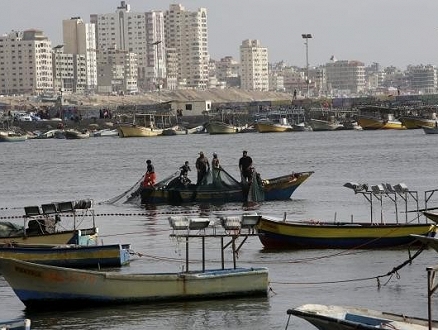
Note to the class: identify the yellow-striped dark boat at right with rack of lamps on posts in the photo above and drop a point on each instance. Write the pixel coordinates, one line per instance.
(372, 234)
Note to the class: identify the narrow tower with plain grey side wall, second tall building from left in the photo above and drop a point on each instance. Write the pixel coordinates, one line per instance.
(79, 38)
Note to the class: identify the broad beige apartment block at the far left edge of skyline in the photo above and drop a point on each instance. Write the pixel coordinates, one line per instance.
(25, 63)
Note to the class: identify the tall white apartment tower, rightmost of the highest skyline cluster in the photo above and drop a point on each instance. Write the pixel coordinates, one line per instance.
(186, 33)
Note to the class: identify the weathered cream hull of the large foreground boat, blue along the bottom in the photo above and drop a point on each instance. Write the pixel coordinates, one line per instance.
(48, 287)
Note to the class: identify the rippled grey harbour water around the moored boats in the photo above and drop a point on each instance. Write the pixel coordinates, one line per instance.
(43, 171)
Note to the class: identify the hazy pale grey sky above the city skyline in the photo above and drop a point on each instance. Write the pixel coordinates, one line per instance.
(390, 32)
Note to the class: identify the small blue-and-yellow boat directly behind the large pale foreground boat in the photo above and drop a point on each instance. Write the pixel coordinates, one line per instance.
(69, 255)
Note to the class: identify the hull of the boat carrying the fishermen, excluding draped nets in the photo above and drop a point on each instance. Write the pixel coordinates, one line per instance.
(280, 188)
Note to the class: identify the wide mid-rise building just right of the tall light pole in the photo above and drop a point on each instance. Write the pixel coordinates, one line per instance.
(345, 76)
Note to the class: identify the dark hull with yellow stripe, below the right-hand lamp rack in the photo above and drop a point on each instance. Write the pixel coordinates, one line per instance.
(275, 234)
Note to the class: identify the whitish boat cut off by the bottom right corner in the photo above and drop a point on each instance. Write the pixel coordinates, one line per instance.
(330, 317)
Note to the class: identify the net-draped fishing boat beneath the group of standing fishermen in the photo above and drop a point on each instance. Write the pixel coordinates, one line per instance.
(218, 186)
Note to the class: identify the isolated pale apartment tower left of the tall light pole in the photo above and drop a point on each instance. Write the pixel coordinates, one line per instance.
(254, 67)
